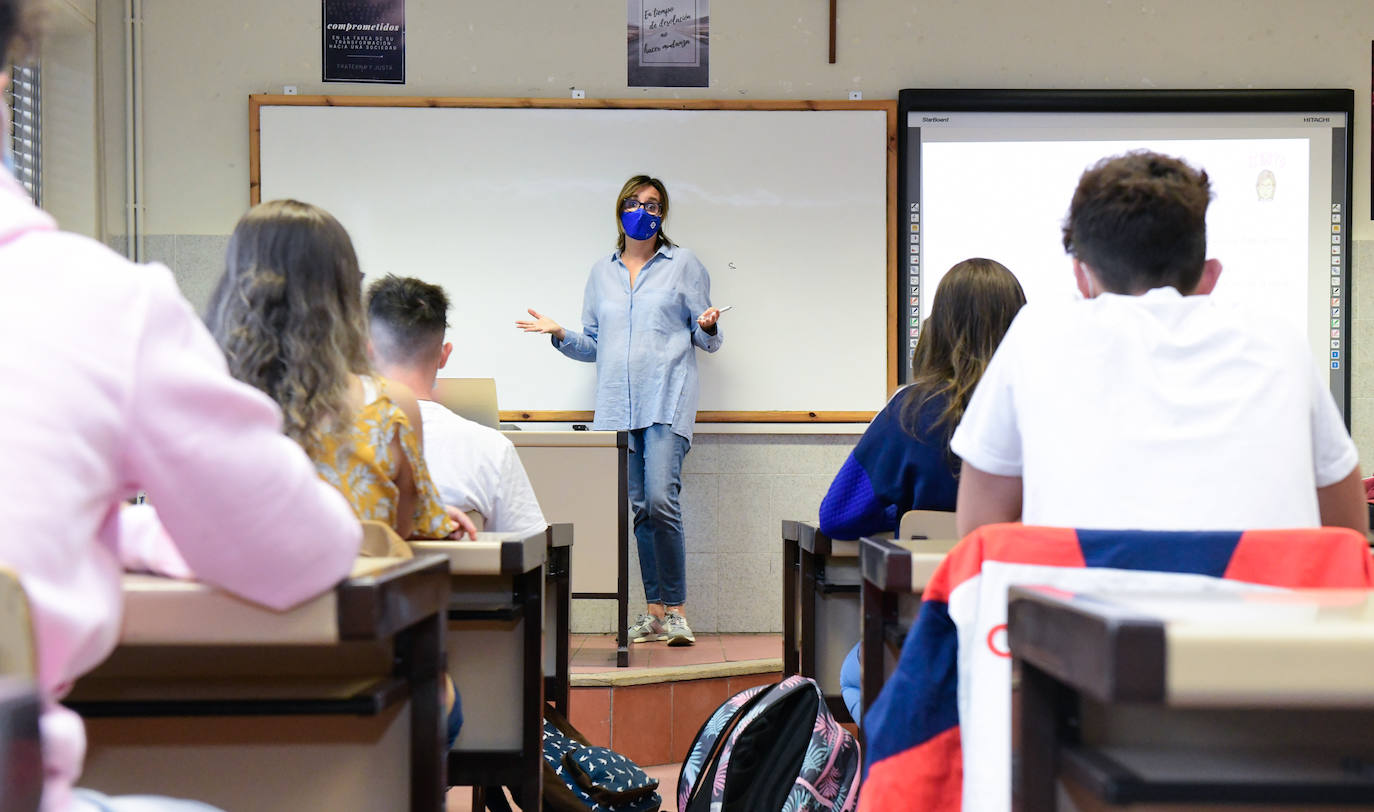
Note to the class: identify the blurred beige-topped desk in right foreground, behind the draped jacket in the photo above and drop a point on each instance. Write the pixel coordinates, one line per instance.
(1195, 700)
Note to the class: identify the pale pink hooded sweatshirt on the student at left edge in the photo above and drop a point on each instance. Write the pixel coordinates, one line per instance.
(111, 384)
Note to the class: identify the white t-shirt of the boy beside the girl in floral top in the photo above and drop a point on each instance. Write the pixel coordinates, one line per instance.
(477, 469)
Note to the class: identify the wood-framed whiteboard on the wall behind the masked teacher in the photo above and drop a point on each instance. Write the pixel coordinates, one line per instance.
(508, 208)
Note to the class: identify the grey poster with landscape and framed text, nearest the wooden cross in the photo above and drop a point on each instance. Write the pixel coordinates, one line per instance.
(668, 43)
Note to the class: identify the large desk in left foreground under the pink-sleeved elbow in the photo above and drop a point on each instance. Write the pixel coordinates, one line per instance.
(335, 704)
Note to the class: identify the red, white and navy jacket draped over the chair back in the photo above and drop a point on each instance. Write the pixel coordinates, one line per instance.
(953, 688)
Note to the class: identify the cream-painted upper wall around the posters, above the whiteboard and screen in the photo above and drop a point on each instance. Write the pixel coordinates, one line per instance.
(205, 57)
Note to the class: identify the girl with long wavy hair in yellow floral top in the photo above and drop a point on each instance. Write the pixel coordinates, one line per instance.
(289, 315)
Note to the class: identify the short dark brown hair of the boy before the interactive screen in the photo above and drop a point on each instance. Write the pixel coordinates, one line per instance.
(1140, 222)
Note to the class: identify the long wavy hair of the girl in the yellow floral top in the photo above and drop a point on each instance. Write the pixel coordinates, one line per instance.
(289, 315)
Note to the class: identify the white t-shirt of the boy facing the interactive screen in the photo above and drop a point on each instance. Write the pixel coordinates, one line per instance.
(1156, 413)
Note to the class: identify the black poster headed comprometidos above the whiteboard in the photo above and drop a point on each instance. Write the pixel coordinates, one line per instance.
(365, 42)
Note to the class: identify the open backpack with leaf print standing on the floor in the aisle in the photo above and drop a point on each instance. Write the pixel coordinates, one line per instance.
(772, 749)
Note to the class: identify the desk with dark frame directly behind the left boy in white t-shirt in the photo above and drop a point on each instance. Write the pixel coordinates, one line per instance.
(495, 656)
